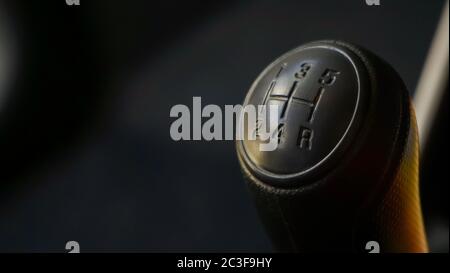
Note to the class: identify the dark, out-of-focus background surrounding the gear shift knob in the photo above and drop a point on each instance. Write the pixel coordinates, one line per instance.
(85, 95)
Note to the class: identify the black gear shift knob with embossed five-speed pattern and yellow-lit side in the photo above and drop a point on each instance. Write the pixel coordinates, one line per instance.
(345, 171)
